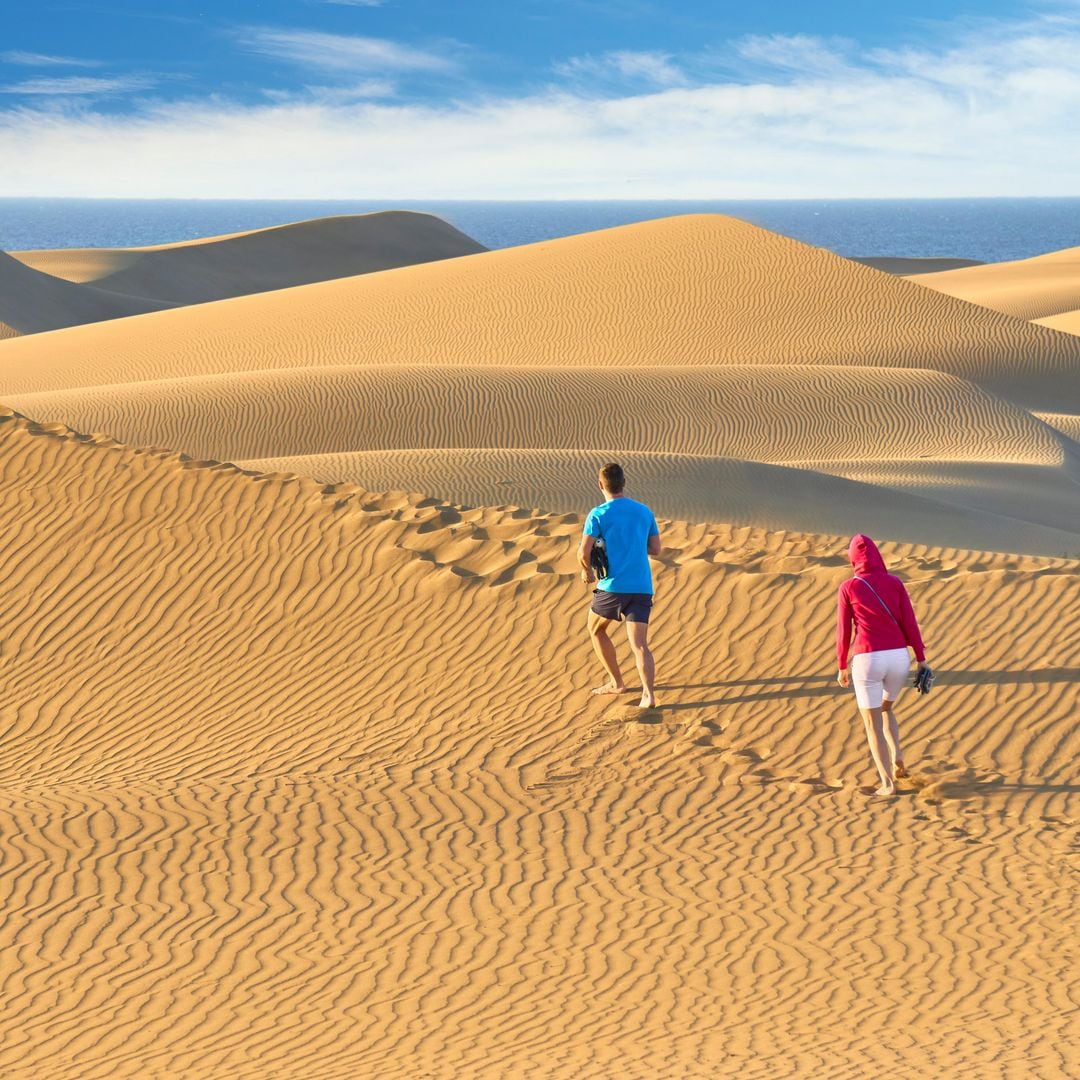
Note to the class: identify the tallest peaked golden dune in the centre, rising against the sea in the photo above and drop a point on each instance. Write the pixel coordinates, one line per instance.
(700, 290)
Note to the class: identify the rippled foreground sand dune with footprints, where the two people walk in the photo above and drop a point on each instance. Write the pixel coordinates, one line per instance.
(308, 782)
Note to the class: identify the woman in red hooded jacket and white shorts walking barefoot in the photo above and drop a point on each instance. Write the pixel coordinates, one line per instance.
(877, 604)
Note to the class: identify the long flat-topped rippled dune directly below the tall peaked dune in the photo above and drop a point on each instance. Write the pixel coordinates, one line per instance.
(763, 413)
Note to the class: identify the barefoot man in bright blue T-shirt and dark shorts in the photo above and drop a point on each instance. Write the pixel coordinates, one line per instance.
(629, 535)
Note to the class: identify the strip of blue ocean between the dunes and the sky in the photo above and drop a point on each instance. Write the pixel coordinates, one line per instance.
(989, 231)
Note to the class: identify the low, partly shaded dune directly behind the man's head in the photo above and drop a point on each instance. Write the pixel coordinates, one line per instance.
(692, 489)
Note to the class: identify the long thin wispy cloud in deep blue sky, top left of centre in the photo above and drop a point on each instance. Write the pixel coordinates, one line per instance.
(340, 52)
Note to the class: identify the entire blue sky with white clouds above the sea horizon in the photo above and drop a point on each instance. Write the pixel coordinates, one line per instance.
(531, 100)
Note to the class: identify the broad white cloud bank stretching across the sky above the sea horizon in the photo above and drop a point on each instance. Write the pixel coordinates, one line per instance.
(973, 118)
